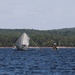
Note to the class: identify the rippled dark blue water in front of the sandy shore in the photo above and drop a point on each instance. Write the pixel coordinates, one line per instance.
(37, 62)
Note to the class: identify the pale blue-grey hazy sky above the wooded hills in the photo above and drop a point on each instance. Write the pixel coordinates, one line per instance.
(37, 14)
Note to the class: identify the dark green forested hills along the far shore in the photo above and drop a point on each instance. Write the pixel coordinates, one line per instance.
(42, 38)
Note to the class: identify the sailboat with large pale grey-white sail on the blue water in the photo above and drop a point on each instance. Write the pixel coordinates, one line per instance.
(23, 42)
